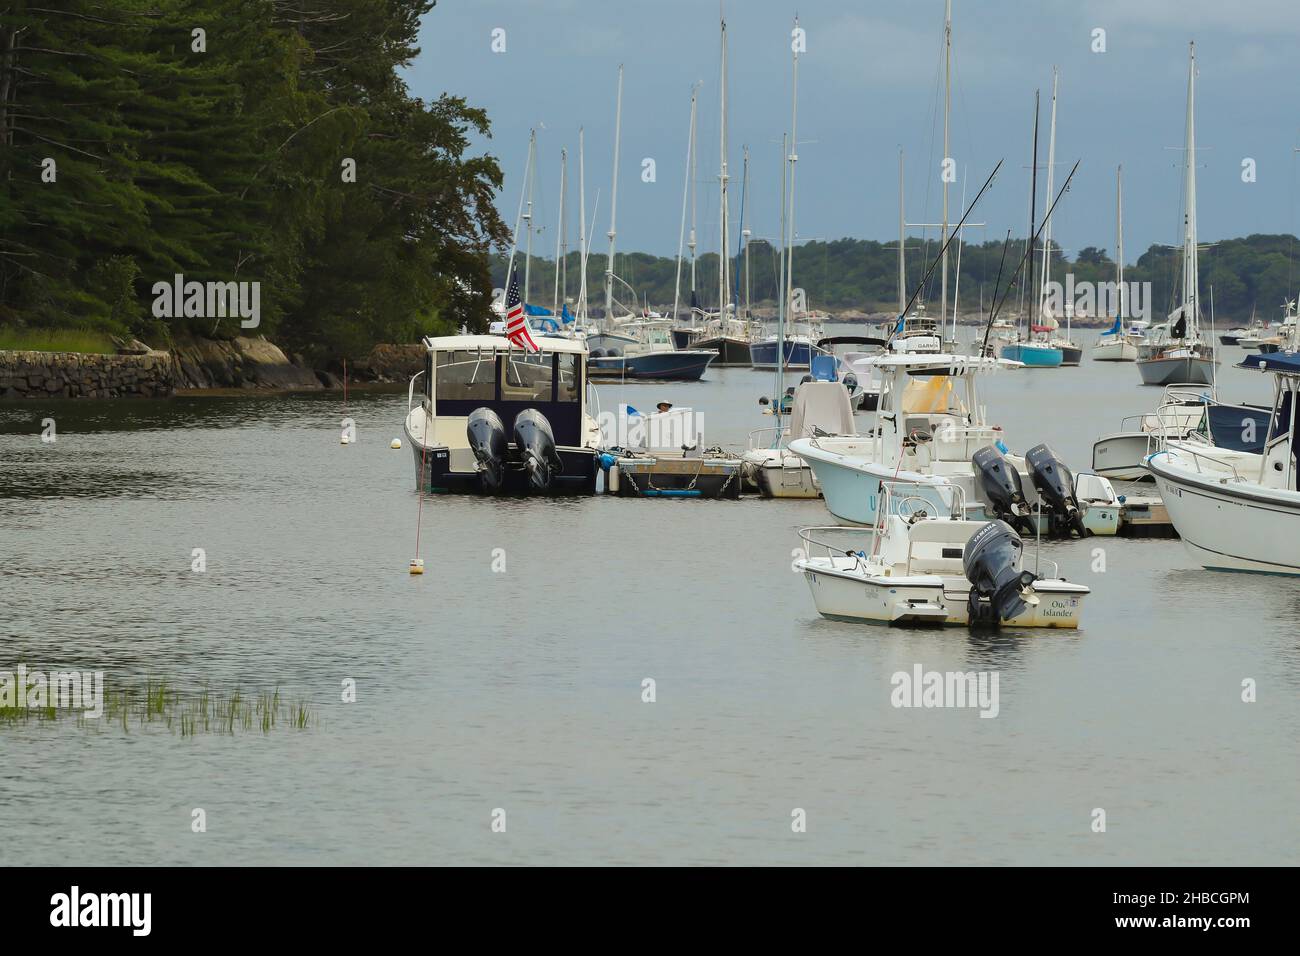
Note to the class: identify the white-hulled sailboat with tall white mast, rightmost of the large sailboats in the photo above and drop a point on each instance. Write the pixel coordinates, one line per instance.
(1178, 354)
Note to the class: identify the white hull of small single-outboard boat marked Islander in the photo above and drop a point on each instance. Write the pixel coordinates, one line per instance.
(840, 595)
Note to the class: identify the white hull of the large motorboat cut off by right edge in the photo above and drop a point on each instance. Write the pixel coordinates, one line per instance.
(1230, 526)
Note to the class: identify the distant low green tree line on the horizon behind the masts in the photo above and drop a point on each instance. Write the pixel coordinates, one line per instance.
(1259, 272)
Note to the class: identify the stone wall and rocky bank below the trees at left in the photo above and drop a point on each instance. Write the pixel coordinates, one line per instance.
(241, 364)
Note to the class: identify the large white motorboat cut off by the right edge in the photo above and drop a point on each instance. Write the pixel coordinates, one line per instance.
(1241, 516)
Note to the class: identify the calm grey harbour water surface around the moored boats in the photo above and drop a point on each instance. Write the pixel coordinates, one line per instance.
(522, 690)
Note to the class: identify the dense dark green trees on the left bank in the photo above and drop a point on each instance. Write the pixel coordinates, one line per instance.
(226, 165)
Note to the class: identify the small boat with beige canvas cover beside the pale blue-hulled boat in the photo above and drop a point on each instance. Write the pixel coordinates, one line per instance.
(821, 408)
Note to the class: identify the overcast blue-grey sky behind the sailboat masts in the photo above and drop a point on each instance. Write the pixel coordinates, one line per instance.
(872, 83)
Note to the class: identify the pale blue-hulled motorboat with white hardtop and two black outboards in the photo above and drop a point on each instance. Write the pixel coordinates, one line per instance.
(931, 430)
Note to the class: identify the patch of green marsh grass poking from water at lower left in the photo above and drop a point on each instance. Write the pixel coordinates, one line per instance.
(159, 704)
